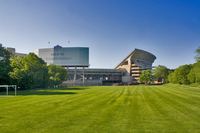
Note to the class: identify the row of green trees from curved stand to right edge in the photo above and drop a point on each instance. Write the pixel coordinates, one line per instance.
(185, 74)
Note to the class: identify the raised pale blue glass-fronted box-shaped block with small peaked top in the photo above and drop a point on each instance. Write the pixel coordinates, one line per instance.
(65, 56)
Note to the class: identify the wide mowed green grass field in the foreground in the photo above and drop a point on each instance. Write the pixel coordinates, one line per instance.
(114, 109)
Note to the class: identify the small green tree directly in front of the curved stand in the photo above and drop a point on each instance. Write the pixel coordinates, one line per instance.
(146, 77)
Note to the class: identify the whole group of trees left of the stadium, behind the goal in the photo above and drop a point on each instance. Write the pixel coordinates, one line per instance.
(29, 72)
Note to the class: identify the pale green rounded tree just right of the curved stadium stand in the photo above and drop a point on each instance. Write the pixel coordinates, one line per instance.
(161, 73)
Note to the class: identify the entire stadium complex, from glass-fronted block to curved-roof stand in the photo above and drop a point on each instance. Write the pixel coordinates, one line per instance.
(76, 61)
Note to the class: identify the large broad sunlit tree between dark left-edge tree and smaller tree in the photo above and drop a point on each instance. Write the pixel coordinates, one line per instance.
(29, 71)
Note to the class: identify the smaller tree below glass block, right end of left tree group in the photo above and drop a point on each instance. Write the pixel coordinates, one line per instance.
(57, 75)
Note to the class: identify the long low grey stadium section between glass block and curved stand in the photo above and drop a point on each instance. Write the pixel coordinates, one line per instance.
(91, 76)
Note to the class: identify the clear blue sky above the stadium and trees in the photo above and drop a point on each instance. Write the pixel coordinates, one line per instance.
(170, 29)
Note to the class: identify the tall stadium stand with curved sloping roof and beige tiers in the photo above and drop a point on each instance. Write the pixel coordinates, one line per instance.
(134, 63)
